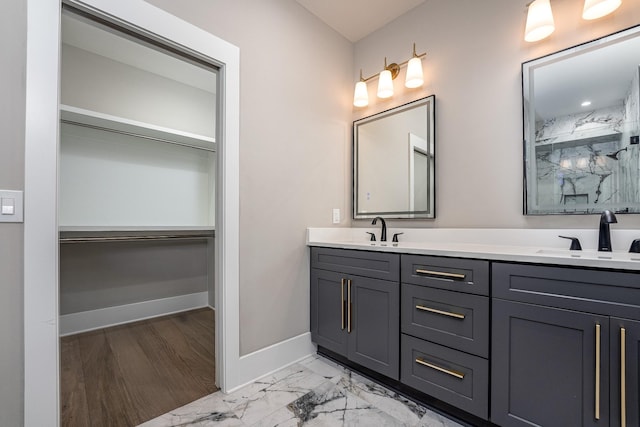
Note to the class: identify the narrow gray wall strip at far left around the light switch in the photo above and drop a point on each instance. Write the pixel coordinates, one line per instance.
(12, 102)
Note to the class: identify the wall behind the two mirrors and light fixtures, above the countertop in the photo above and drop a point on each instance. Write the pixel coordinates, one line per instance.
(474, 53)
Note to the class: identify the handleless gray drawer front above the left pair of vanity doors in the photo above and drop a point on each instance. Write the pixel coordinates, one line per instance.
(377, 265)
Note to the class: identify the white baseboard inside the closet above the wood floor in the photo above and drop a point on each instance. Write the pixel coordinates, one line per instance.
(74, 323)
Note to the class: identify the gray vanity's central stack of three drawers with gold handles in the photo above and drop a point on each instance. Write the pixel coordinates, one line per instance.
(445, 330)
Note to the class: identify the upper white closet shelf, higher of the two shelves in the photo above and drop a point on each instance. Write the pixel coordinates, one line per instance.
(109, 123)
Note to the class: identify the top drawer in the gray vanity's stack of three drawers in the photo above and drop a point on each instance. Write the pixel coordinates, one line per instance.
(455, 274)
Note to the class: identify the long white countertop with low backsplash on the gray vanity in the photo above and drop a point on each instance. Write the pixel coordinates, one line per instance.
(541, 246)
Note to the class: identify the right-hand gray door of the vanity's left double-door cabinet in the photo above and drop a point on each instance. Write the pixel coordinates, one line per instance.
(374, 340)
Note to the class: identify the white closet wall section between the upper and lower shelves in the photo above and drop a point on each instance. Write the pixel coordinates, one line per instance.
(108, 179)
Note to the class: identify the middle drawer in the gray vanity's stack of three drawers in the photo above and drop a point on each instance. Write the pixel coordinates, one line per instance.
(457, 320)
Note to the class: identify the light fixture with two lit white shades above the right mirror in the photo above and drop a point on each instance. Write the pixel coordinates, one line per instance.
(540, 18)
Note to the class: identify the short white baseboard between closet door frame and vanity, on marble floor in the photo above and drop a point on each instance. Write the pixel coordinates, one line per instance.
(273, 358)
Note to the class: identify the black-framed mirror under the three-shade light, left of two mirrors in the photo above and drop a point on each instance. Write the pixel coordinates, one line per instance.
(394, 162)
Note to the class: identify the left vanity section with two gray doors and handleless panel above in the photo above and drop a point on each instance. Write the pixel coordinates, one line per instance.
(355, 300)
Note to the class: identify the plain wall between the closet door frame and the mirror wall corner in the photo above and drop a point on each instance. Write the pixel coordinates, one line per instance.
(295, 144)
